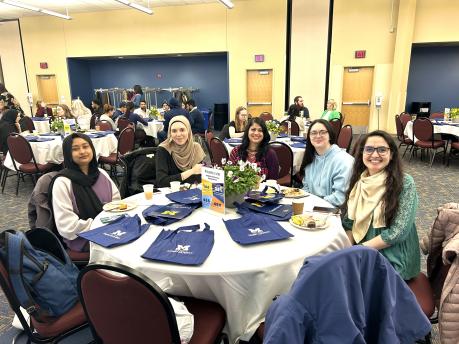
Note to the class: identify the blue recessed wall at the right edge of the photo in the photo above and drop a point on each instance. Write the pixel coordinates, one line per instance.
(434, 77)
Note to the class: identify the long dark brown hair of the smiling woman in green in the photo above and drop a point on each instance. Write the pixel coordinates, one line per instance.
(394, 181)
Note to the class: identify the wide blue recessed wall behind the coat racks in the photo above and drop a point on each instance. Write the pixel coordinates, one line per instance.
(208, 73)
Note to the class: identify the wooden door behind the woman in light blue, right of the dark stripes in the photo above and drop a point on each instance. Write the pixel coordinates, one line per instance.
(357, 89)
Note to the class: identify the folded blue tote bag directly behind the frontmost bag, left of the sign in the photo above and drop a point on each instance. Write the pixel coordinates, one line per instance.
(164, 215)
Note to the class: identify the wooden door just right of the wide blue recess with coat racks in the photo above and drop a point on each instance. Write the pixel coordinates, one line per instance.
(259, 91)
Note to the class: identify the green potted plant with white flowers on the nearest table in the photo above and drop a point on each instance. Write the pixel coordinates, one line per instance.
(239, 179)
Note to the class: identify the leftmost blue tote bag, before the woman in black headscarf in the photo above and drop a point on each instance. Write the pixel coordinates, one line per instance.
(119, 232)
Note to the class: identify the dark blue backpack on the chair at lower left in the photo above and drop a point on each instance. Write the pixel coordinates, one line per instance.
(43, 277)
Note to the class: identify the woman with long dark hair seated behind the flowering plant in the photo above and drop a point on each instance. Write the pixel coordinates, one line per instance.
(255, 149)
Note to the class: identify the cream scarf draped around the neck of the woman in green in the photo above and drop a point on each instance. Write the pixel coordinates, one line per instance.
(366, 203)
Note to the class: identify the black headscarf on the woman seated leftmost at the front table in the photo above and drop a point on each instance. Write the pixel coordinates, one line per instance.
(89, 205)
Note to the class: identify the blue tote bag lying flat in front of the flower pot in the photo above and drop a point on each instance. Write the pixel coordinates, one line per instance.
(255, 228)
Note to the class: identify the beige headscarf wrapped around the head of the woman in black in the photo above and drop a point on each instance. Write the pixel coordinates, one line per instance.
(187, 155)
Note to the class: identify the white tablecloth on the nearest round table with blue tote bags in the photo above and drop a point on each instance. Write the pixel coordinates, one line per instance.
(242, 279)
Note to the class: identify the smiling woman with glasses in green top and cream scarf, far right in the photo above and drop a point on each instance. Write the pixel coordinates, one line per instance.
(382, 203)
